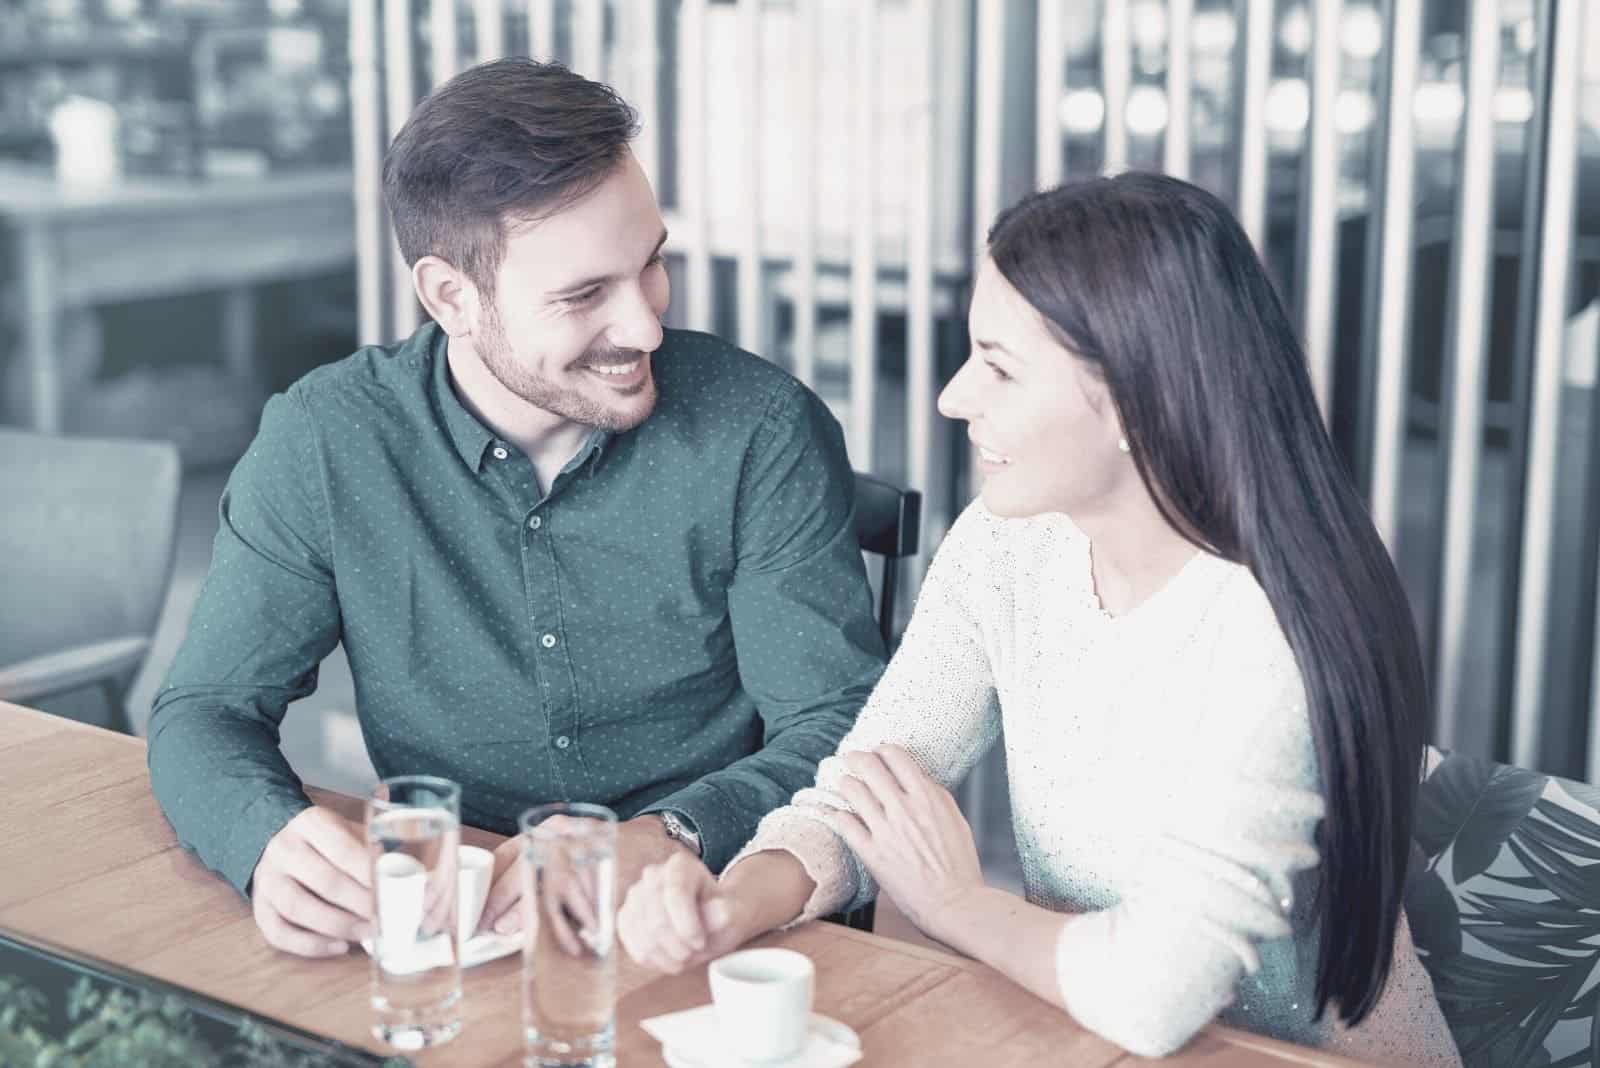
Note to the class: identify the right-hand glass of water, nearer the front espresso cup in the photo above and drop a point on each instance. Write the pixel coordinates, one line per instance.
(569, 952)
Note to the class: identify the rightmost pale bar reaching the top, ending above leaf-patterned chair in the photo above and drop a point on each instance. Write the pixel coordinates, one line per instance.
(1545, 416)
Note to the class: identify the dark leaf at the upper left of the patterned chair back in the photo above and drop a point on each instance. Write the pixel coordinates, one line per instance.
(1473, 805)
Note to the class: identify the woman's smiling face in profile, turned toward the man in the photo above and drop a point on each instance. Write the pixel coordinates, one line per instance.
(1039, 416)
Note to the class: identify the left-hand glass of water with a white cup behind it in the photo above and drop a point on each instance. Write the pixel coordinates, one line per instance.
(414, 832)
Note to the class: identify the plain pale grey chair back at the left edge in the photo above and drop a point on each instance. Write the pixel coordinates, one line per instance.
(86, 559)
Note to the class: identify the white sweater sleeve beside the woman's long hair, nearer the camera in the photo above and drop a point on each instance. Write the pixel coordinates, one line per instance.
(1156, 968)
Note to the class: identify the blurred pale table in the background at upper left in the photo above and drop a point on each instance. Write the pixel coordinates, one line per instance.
(151, 237)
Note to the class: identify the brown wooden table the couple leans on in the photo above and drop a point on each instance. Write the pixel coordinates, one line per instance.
(89, 863)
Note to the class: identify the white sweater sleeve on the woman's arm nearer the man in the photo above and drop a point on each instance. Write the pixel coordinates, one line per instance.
(937, 699)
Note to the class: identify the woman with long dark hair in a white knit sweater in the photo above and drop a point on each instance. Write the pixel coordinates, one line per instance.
(1207, 675)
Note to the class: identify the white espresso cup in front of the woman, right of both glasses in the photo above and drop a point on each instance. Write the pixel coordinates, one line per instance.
(764, 1002)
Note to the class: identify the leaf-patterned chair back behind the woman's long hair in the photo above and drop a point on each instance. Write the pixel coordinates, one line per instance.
(1503, 896)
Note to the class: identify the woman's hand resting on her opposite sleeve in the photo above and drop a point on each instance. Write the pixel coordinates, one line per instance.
(911, 837)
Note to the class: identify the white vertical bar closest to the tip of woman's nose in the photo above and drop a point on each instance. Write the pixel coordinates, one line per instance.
(921, 226)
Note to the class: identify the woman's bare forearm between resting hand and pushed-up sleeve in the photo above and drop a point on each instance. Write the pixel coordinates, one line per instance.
(1010, 936)
